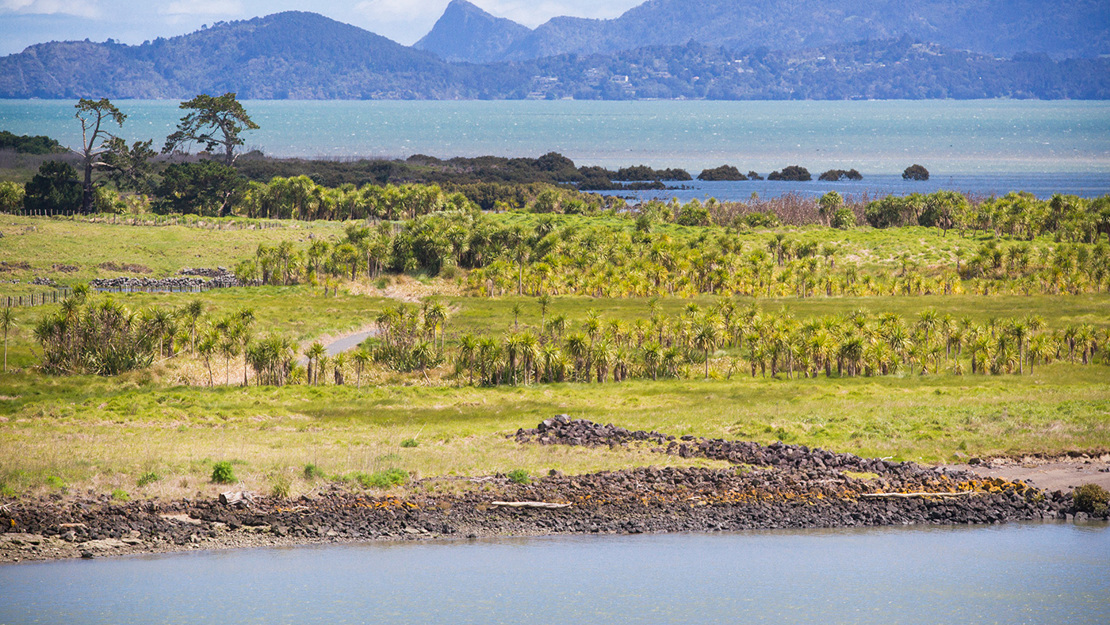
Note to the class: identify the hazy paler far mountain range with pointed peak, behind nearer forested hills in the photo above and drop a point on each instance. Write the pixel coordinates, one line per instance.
(1074, 29)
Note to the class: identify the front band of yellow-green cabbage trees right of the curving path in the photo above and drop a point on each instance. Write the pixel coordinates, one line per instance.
(726, 339)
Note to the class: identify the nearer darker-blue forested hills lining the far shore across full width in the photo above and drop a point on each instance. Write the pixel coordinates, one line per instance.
(306, 56)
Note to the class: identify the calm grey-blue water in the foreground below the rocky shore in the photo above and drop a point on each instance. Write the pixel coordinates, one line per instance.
(1012, 574)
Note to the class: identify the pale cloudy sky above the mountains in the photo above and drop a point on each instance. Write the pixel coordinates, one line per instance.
(24, 23)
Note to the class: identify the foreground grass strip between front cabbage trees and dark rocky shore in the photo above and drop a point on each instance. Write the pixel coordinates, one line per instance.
(92, 438)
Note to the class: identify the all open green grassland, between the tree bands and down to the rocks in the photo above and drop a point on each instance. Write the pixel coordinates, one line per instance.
(99, 434)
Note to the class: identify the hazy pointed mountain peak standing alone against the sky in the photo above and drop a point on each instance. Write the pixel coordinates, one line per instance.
(466, 33)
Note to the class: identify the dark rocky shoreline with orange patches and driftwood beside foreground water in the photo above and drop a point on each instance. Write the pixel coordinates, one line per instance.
(766, 487)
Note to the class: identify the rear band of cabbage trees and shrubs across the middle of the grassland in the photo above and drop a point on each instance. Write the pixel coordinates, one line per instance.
(643, 253)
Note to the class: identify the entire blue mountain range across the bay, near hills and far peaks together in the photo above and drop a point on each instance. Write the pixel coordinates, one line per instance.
(710, 49)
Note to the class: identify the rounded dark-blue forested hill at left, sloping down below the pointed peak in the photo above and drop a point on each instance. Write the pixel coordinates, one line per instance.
(292, 55)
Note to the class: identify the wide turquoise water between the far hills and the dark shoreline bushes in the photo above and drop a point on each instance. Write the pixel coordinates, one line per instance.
(950, 138)
